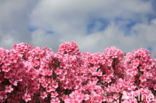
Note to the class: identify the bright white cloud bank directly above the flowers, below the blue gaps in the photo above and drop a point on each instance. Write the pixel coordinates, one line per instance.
(141, 36)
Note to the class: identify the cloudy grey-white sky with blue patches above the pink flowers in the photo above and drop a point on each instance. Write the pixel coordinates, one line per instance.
(92, 24)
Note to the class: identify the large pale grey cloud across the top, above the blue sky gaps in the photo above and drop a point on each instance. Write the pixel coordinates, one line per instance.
(72, 16)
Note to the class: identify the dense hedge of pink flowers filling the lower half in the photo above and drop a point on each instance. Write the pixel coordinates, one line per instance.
(38, 75)
